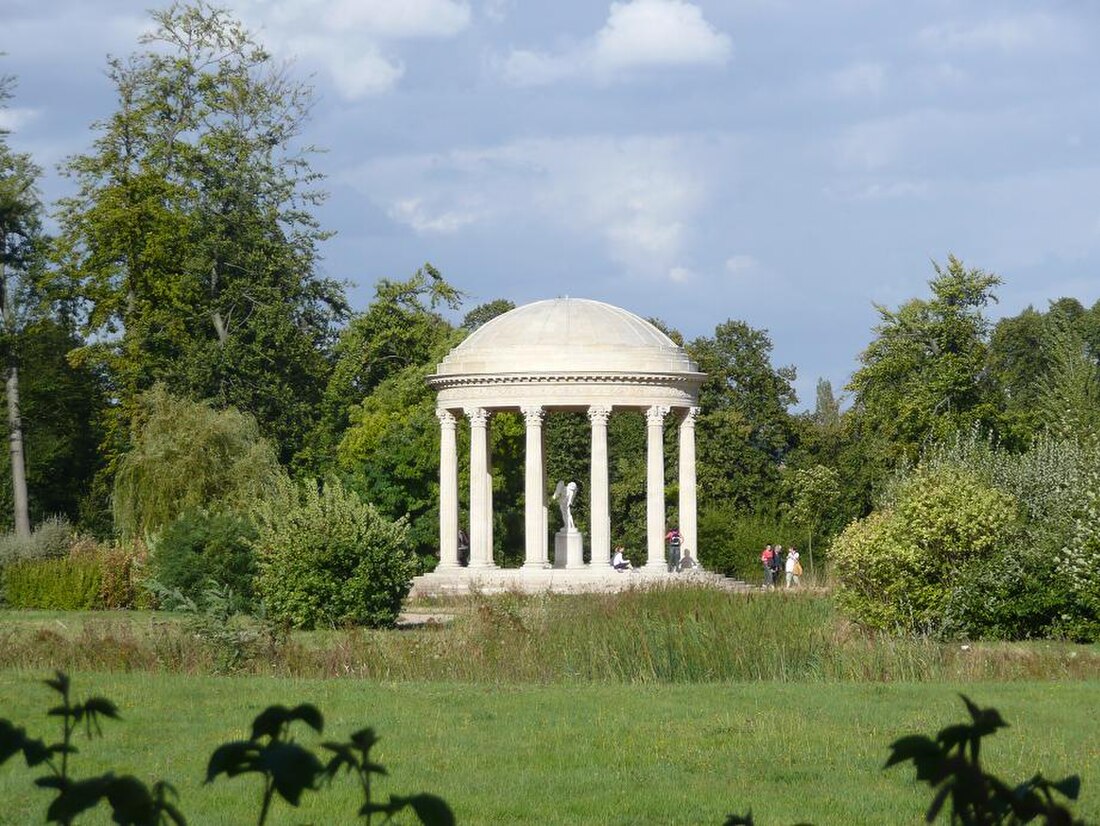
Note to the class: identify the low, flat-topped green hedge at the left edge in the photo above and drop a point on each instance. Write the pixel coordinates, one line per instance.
(54, 585)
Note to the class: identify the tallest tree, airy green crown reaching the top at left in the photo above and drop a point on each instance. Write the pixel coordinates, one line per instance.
(191, 243)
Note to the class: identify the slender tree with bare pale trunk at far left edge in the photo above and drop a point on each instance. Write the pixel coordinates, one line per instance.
(20, 245)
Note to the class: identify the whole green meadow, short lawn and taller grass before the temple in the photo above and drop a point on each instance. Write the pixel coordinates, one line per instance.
(668, 707)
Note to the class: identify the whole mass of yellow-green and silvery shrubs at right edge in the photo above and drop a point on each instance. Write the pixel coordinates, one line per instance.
(980, 542)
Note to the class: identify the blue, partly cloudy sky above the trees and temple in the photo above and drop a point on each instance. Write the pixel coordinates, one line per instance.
(787, 163)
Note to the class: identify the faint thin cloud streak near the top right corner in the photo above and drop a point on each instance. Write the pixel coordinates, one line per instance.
(1014, 34)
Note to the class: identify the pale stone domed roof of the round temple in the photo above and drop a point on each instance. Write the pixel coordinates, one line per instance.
(567, 336)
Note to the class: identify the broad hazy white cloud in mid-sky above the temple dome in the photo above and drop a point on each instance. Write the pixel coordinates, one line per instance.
(639, 197)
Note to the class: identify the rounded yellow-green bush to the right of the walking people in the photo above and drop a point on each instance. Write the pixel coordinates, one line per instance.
(896, 569)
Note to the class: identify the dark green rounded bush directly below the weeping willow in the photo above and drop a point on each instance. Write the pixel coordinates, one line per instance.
(202, 547)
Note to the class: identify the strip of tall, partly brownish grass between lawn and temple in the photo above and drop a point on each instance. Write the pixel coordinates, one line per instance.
(676, 635)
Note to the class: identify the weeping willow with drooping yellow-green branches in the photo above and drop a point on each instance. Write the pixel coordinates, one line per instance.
(189, 456)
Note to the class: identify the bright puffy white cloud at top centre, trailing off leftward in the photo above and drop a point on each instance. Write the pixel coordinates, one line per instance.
(639, 35)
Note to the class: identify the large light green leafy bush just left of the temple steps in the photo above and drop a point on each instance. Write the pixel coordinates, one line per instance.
(327, 558)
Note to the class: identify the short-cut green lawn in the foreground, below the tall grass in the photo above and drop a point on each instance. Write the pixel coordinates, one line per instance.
(599, 754)
